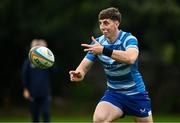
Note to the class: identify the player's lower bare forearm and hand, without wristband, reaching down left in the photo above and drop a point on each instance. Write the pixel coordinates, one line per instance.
(81, 70)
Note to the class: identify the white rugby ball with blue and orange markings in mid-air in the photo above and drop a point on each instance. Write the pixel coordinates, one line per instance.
(41, 57)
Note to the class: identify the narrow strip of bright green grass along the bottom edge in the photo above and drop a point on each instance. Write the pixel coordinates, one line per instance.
(87, 118)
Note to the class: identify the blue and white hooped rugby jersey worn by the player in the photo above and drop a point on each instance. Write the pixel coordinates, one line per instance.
(121, 77)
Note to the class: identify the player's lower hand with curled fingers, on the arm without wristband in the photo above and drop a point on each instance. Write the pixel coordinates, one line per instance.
(75, 76)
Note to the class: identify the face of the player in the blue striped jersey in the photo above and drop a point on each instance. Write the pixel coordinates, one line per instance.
(108, 27)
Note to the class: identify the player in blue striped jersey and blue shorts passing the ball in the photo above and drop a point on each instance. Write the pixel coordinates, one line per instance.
(118, 52)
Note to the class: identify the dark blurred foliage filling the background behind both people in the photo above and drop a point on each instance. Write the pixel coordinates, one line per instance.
(65, 24)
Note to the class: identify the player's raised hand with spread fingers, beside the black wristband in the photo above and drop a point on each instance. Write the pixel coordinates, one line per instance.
(95, 48)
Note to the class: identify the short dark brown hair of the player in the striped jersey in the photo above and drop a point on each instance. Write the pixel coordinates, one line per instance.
(110, 13)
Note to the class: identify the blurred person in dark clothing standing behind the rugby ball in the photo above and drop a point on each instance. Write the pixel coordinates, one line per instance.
(36, 86)
